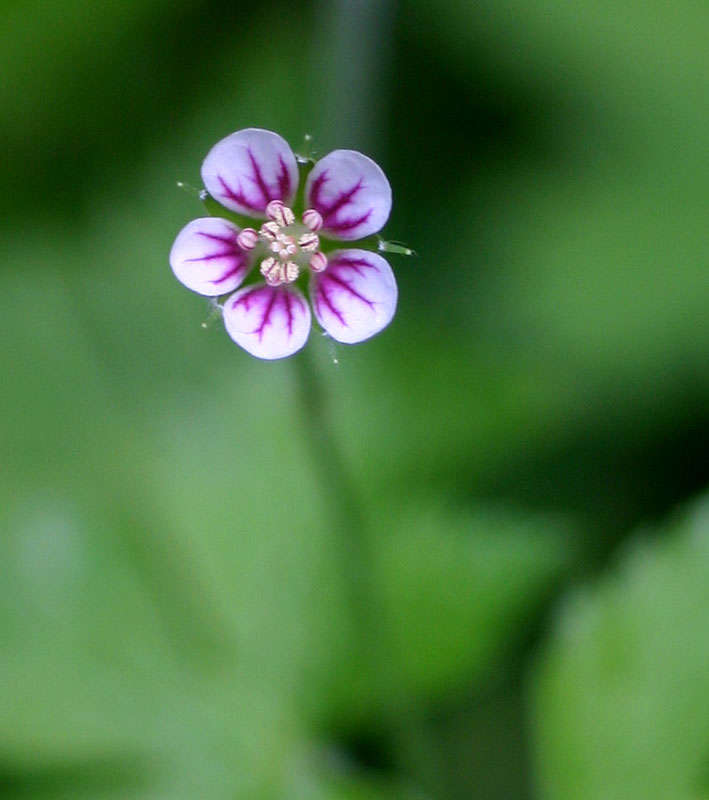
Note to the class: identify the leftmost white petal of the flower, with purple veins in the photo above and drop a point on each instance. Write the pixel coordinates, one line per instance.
(206, 257)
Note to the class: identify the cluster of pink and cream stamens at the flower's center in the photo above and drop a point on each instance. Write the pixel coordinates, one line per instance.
(290, 245)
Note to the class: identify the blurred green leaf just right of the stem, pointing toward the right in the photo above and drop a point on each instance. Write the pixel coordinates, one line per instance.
(452, 589)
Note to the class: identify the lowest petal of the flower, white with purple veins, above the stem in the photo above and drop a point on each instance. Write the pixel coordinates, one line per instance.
(267, 321)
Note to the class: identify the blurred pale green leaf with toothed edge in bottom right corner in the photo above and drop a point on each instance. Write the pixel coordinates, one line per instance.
(621, 696)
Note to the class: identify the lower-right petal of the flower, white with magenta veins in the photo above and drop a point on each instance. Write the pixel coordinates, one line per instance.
(355, 297)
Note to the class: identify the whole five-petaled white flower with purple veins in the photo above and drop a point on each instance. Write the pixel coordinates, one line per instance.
(346, 197)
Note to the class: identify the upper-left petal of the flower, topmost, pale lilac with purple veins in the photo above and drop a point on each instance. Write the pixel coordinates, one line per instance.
(248, 169)
